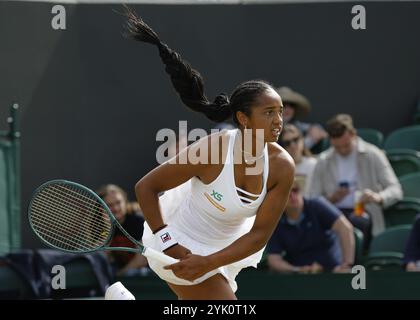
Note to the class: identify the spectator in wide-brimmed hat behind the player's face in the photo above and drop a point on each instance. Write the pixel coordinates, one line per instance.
(296, 106)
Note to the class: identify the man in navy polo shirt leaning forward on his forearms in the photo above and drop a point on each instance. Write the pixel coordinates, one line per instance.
(307, 235)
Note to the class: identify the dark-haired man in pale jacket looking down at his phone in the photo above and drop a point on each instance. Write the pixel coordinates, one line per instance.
(353, 166)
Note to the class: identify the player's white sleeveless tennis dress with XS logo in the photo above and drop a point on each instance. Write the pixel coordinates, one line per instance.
(206, 218)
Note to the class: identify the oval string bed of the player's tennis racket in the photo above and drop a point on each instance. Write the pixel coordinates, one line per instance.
(69, 219)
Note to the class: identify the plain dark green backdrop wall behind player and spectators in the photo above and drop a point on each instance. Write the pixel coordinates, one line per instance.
(92, 101)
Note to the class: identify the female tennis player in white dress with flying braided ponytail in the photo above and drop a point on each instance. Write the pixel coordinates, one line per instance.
(225, 216)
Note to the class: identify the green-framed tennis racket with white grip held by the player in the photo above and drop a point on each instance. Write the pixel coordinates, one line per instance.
(70, 217)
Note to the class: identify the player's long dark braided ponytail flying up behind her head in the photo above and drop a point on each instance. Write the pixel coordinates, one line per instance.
(189, 83)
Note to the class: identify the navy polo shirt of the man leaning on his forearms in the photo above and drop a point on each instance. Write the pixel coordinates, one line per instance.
(311, 240)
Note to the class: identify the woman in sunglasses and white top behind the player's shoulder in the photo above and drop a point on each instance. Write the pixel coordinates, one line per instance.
(292, 140)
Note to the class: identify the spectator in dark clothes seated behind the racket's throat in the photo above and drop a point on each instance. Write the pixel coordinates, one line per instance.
(128, 215)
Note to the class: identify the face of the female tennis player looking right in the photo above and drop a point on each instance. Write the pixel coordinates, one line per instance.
(267, 115)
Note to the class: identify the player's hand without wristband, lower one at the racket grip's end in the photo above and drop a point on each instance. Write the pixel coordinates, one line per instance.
(190, 267)
